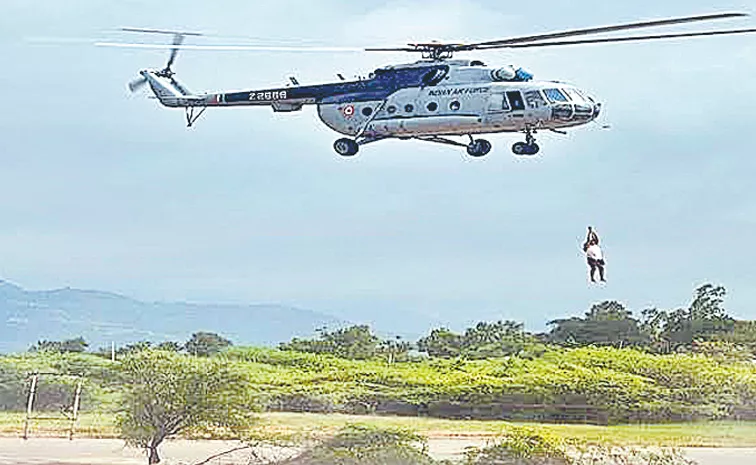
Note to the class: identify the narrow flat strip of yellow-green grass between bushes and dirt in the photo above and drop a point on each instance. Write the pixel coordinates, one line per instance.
(704, 434)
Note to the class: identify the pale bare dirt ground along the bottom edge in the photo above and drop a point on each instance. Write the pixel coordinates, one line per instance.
(47, 451)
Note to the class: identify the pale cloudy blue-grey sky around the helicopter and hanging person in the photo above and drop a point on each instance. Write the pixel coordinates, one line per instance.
(103, 189)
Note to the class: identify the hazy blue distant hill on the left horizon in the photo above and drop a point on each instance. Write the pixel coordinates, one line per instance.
(101, 317)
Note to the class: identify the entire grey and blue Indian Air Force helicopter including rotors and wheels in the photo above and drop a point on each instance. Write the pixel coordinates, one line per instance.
(432, 100)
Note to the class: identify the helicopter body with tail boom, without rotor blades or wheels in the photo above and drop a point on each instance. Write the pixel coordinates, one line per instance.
(426, 99)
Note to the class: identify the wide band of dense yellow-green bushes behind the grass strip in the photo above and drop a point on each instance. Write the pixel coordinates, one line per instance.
(597, 385)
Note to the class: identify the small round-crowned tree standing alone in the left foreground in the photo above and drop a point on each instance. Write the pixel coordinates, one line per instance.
(167, 393)
